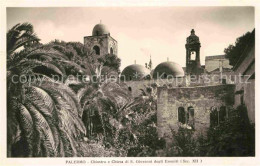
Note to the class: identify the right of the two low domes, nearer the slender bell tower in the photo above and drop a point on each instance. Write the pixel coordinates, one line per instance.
(168, 69)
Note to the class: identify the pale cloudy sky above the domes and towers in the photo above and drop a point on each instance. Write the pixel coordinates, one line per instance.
(142, 31)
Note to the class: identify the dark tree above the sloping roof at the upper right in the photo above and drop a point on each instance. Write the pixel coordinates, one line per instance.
(233, 52)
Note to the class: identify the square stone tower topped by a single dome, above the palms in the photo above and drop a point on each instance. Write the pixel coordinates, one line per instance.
(101, 43)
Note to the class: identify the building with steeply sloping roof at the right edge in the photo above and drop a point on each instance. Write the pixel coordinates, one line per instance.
(244, 72)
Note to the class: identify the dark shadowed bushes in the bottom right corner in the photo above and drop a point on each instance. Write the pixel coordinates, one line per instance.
(233, 137)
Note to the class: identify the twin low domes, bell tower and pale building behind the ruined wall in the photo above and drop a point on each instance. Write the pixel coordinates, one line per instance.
(173, 75)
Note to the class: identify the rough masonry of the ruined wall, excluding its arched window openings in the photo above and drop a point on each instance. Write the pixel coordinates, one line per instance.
(202, 99)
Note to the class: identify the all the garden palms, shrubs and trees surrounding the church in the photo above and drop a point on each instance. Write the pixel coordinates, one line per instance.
(56, 109)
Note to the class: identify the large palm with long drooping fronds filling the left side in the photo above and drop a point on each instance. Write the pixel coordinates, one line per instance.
(44, 115)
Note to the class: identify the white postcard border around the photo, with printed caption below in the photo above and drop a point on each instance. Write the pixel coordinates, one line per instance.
(107, 3)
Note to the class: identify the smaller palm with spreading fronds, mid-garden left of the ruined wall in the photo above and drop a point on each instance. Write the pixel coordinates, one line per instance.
(105, 105)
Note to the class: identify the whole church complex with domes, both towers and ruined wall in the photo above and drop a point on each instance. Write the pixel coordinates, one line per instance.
(181, 102)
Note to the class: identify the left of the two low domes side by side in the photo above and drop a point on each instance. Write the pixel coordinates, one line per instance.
(135, 72)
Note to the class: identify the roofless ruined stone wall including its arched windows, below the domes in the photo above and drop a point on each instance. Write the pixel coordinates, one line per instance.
(196, 108)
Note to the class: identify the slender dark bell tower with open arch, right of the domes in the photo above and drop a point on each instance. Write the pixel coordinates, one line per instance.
(193, 54)
